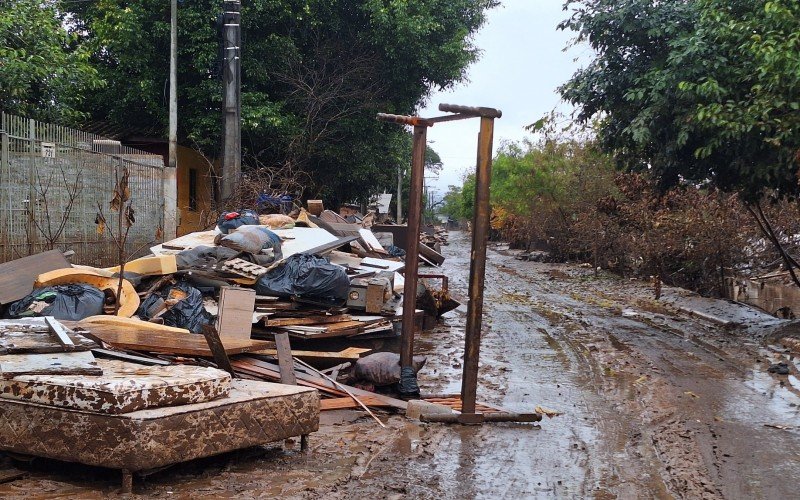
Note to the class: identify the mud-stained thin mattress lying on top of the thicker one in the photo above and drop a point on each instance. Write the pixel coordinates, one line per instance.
(123, 387)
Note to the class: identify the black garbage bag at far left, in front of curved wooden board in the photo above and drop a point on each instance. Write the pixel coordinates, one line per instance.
(70, 302)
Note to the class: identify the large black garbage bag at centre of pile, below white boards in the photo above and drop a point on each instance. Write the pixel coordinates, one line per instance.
(305, 275)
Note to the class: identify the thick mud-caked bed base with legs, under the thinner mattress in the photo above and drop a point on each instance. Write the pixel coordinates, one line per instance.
(252, 414)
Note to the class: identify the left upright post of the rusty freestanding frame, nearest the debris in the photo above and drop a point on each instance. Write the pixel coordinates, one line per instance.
(409, 387)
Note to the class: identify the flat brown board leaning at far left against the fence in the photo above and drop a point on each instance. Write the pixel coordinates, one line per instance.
(17, 276)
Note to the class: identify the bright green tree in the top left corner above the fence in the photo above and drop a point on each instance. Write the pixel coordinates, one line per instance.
(44, 71)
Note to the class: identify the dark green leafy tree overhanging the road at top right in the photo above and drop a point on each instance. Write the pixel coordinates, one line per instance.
(701, 91)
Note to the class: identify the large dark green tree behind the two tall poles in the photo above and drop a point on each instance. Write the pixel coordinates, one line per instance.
(314, 73)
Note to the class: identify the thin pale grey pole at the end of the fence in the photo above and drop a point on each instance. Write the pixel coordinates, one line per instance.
(170, 173)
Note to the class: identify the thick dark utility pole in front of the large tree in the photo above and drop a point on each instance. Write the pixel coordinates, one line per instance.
(232, 84)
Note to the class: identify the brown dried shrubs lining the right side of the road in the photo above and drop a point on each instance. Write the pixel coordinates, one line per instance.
(689, 236)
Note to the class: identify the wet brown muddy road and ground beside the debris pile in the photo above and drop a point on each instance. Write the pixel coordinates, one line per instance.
(655, 403)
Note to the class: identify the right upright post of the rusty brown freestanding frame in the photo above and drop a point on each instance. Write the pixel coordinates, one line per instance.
(477, 271)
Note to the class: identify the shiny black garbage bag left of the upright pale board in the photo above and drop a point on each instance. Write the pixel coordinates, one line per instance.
(187, 313)
